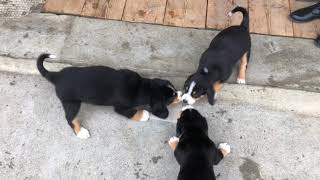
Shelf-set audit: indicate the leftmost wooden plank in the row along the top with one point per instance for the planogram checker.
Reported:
(64, 6)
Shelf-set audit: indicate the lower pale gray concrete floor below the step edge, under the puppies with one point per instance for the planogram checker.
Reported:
(36, 142)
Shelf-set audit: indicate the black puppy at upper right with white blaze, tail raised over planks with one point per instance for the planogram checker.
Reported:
(216, 63)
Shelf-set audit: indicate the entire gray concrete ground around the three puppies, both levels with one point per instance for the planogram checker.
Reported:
(272, 124)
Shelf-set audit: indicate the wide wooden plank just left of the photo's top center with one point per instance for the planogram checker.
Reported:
(148, 11)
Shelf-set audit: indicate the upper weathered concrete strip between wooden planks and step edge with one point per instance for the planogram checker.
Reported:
(155, 50)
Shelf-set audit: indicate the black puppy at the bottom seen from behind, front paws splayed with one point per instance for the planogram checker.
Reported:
(194, 151)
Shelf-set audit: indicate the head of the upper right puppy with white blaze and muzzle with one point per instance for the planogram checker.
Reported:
(198, 85)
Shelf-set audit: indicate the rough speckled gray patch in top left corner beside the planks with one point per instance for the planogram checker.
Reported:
(19, 8)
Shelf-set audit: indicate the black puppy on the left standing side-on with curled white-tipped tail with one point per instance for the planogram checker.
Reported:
(128, 92)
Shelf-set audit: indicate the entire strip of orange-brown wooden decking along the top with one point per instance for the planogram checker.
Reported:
(266, 17)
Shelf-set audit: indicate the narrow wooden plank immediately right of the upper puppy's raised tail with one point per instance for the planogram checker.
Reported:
(259, 16)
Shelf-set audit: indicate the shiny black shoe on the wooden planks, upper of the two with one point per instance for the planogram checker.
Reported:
(306, 14)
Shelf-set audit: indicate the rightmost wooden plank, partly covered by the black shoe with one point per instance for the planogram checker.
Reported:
(305, 30)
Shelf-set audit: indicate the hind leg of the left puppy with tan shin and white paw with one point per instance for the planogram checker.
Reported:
(71, 109)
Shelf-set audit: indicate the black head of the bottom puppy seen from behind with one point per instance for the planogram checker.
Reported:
(191, 119)
